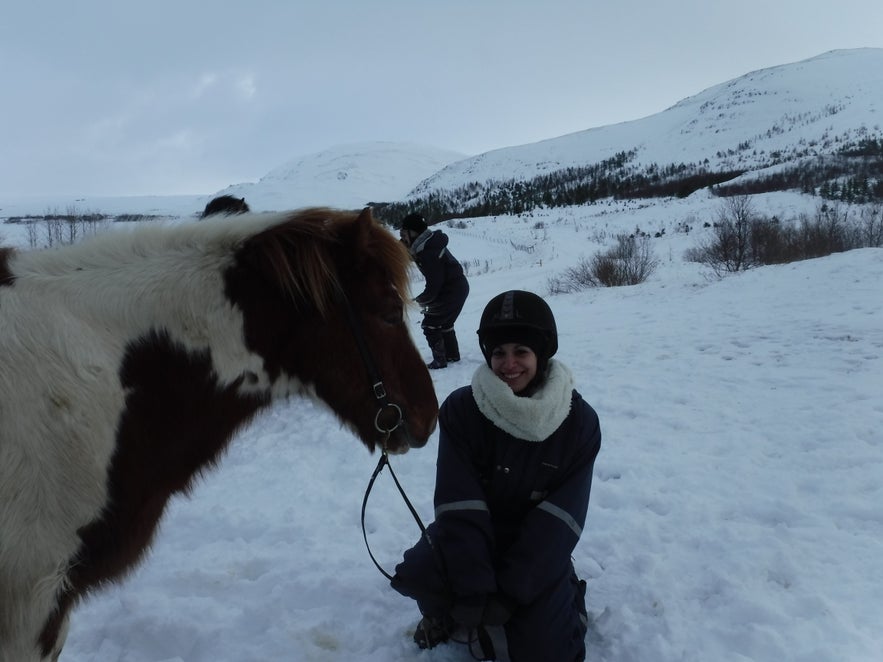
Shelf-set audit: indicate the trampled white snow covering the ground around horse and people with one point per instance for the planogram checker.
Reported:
(735, 513)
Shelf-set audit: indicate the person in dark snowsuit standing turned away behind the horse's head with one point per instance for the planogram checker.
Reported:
(446, 288)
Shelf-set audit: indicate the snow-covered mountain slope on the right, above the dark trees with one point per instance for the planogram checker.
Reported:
(761, 119)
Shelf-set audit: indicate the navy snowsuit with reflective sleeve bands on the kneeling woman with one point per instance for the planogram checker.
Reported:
(508, 514)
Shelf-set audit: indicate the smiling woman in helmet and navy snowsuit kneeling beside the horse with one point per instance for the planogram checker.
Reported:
(515, 458)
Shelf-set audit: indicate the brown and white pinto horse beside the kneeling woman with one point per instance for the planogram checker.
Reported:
(129, 361)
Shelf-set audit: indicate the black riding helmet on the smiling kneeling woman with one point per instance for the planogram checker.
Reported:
(520, 317)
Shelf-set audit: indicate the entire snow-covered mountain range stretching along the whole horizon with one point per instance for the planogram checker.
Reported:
(754, 123)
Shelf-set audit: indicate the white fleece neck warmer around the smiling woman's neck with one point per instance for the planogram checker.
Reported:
(531, 418)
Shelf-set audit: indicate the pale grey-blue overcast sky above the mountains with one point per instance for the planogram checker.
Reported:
(106, 97)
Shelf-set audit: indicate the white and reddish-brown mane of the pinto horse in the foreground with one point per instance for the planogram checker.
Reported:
(296, 250)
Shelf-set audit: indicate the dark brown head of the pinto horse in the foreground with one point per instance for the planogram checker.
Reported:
(323, 296)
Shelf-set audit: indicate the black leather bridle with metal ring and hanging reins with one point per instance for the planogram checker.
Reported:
(378, 390)
